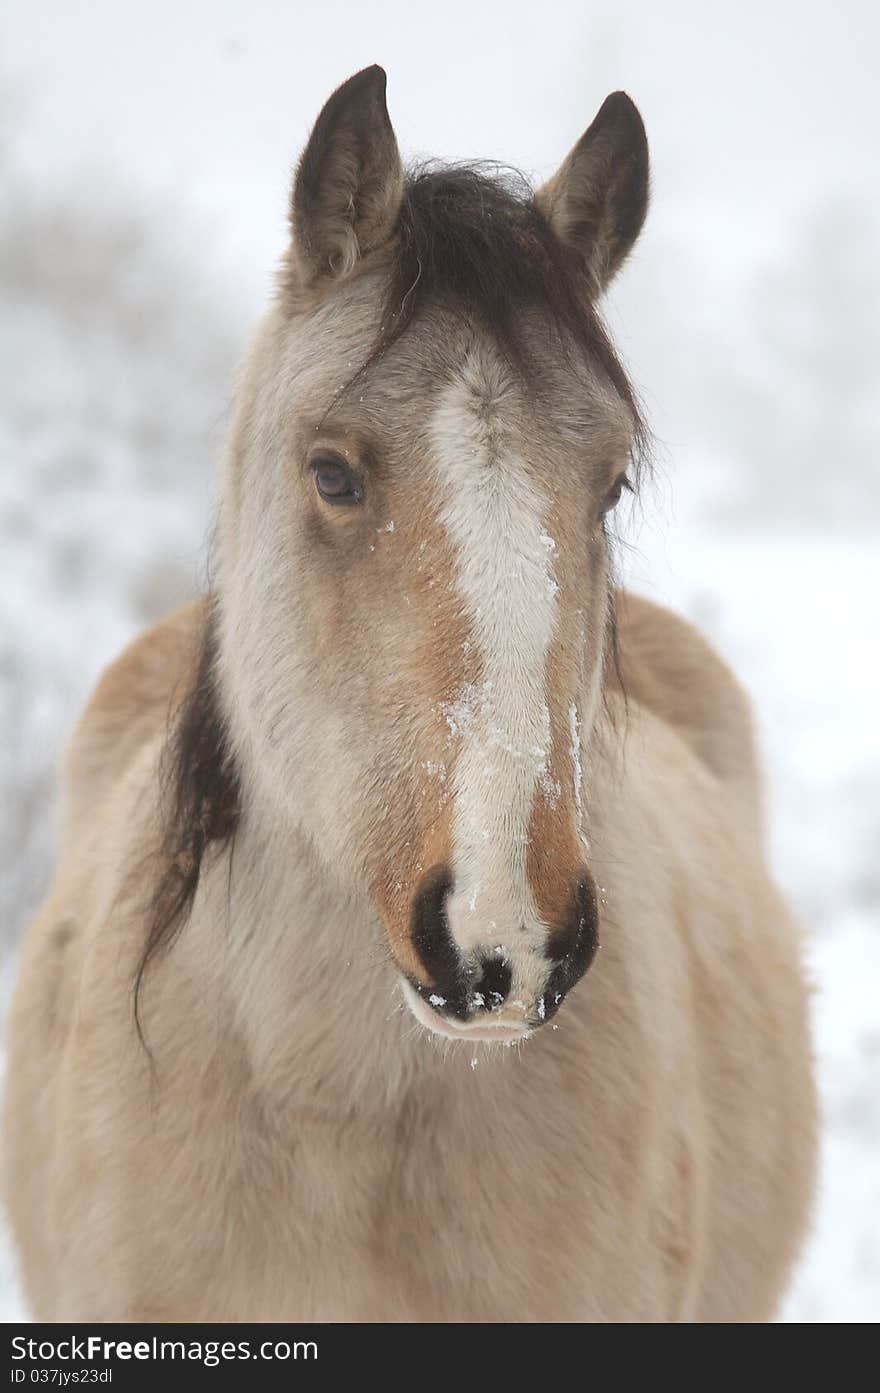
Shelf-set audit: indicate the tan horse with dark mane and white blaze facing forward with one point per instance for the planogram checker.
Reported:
(413, 954)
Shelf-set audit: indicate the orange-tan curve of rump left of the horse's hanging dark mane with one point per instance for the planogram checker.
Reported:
(129, 708)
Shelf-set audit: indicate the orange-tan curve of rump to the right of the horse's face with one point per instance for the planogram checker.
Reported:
(668, 667)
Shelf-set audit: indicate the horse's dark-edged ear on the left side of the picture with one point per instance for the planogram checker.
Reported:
(349, 187)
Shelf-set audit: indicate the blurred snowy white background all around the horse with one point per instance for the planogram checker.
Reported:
(146, 155)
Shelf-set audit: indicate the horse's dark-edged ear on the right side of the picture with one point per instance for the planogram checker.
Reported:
(598, 200)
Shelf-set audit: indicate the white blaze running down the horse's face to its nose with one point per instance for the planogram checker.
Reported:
(495, 515)
